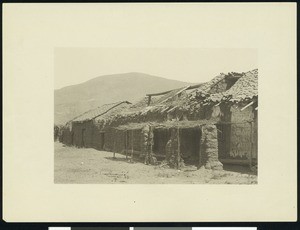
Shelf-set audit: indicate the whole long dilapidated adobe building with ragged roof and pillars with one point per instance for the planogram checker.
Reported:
(205, 125)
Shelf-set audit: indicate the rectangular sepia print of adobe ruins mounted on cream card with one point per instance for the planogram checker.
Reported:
(192, 122)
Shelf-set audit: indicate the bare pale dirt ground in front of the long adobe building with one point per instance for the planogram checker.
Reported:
(90, 166)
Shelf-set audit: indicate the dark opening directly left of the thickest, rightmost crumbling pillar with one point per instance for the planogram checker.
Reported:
(189, 145)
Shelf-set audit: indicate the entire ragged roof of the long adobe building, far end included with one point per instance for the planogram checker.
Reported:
(232, 87)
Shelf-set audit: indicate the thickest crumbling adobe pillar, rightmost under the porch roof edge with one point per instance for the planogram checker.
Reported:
(209, 148)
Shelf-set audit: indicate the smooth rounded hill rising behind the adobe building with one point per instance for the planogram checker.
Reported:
(73, 100)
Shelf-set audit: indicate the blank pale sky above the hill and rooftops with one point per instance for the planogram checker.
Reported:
(76, 65)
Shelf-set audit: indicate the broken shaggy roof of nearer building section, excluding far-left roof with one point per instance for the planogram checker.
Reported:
(191, 99)
